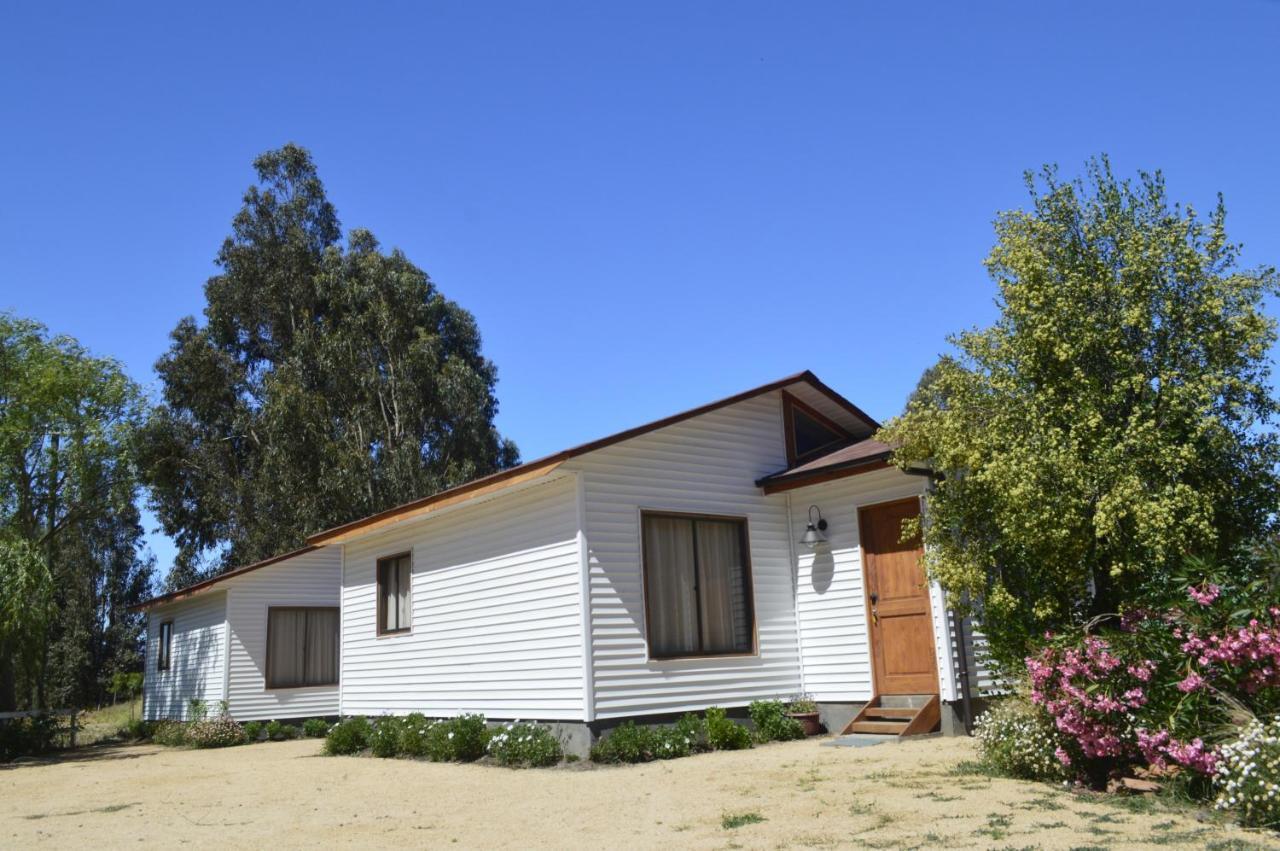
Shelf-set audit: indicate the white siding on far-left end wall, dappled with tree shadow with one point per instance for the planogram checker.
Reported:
(196, 661)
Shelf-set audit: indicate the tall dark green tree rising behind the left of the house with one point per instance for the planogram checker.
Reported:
(328, 382)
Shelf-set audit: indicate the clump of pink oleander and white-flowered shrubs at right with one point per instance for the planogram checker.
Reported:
(1164, 685)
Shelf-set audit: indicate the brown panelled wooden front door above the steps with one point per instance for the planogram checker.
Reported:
(898, 602)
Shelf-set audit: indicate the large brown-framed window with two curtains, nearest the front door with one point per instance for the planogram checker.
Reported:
(698, 587)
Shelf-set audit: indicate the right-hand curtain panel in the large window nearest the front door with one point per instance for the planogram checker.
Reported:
(723, 587)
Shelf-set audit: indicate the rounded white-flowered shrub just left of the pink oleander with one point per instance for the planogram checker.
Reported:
(1017, 739)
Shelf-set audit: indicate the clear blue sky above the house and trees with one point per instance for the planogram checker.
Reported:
(647, 205)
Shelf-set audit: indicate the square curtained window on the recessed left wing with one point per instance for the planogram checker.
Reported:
(301, 647)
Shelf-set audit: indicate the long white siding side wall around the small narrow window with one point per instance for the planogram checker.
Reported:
(497, 617)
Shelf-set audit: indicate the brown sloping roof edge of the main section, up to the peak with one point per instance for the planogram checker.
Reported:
(543, 466)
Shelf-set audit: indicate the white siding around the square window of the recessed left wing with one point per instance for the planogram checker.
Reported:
(310, 579)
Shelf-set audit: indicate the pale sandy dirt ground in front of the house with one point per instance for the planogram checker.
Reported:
(779, 797)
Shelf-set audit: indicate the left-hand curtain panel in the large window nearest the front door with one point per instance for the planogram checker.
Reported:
(670, 587)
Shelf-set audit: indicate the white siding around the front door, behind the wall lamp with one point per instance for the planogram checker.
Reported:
(830, 601)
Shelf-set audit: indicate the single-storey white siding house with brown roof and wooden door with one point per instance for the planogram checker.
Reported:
(666, 569)
